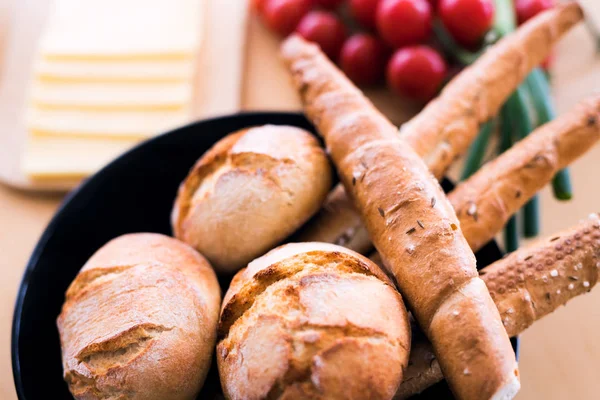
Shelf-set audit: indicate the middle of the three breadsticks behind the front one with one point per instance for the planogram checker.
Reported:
(486, 200)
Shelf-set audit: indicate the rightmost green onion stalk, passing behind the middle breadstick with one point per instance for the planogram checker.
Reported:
(542, 101)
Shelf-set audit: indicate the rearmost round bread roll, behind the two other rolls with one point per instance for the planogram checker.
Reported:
(249, 192)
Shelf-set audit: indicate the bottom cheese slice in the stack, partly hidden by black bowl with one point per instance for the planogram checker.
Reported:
(69, 158)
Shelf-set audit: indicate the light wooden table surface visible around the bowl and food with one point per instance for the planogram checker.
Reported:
(560, 355)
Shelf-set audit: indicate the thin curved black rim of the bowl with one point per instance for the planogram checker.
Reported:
(50, 228)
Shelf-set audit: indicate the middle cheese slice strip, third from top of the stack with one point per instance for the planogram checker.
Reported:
(116, 96)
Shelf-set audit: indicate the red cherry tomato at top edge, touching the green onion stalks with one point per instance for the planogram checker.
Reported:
(467, 20)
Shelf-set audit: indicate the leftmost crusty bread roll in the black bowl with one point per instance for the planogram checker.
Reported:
(139, 321)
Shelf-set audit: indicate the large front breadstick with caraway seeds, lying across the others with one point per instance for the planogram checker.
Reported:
(412, 225)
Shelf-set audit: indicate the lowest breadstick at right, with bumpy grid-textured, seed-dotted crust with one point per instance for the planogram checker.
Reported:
(526, 286)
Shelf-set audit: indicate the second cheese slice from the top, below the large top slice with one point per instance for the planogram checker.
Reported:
(114, 71)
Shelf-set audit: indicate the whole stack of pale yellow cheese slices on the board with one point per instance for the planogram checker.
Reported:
(108, 74)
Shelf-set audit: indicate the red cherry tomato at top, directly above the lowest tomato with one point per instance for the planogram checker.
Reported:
(403, 22)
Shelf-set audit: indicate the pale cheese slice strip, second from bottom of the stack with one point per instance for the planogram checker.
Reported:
(122, 124)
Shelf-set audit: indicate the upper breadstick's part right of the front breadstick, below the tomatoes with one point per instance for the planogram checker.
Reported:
(448, 124)
